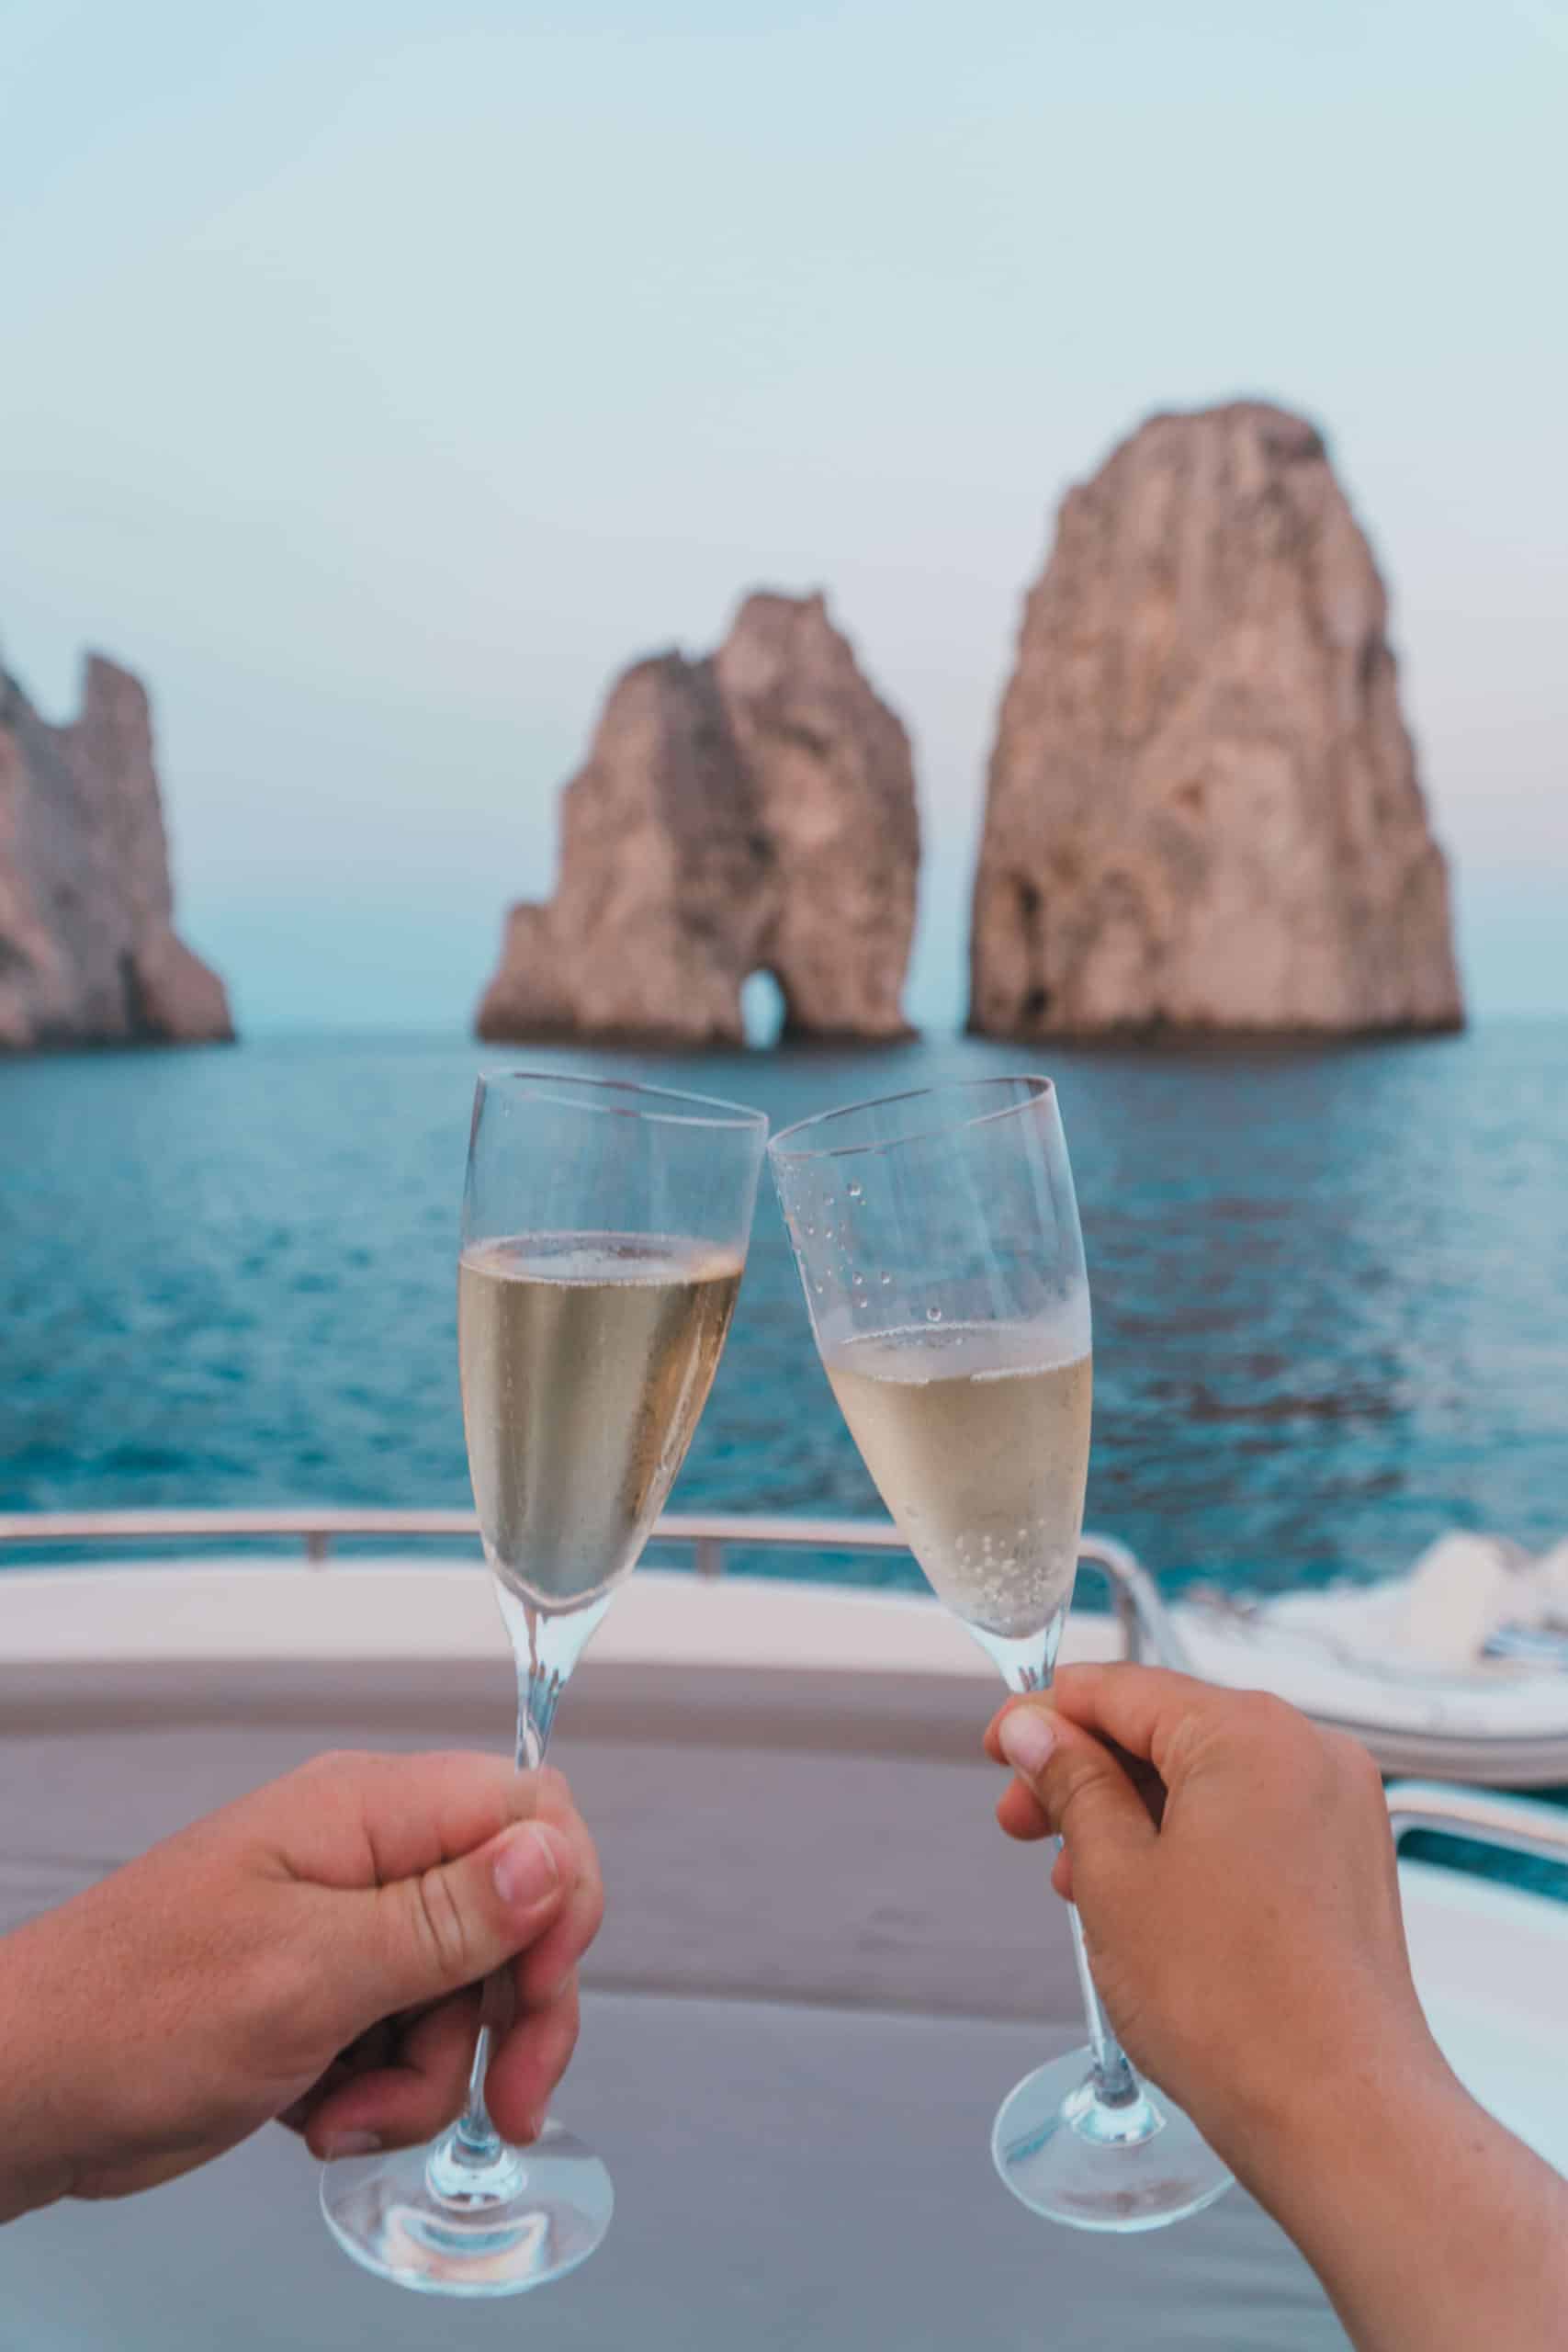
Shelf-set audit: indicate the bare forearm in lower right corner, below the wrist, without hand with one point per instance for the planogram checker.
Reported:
(1430, 2226)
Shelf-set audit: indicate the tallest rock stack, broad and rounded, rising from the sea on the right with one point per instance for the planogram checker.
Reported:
(1202, 806)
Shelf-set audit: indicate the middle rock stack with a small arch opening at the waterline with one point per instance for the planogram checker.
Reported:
(746, 813)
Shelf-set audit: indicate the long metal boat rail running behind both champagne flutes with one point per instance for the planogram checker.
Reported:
(709, 1537)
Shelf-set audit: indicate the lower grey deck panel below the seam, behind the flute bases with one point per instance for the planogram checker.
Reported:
(784, 2179)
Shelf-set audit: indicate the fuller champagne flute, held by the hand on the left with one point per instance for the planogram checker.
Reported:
(605, 1231)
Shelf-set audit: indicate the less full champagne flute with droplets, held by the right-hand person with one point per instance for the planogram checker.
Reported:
(939, 1245)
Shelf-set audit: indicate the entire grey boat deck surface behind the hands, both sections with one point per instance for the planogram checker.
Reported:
(822, 1972)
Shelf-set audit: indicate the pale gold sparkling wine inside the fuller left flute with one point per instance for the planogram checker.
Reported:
(587, 1361)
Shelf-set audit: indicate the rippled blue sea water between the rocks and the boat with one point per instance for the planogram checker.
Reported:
(1332, 1288)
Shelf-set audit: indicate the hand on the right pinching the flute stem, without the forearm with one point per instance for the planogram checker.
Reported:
(1235, 1876)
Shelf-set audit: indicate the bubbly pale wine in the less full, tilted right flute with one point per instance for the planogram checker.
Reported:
(979, 1443)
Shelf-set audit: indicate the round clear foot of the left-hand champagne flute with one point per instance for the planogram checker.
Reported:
(424, 2219)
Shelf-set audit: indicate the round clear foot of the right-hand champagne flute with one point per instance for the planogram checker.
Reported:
(1097, 2167)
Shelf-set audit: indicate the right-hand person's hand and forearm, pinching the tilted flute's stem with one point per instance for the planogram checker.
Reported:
(1235, 1876)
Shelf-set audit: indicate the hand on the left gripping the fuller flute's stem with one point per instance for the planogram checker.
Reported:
(309, 1953)
